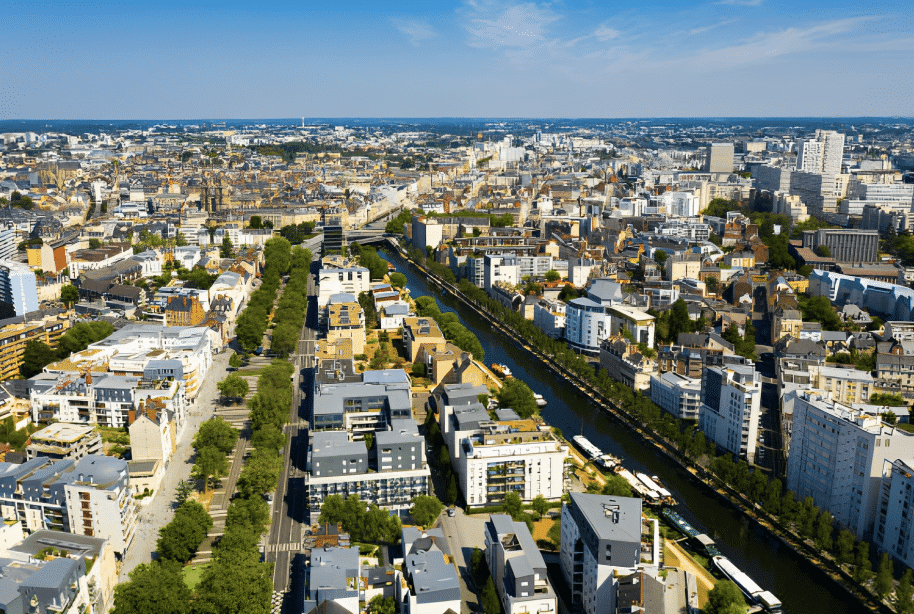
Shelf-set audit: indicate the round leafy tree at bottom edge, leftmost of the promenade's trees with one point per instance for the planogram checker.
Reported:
(154, 588)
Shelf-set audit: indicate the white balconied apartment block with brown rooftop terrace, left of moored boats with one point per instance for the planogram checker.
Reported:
(495, 457)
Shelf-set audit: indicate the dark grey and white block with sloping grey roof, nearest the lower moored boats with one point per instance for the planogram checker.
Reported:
(601, 538)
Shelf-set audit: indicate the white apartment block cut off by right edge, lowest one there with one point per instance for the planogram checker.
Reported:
(894, 530)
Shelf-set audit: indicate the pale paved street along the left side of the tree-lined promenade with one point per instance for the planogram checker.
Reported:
(159, 512)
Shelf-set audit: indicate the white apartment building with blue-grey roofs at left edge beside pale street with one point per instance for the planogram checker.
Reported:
(90, 496)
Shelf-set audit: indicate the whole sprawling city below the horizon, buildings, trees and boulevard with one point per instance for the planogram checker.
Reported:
(224, 388)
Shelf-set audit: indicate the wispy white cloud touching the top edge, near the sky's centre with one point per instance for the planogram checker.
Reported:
(521, 26)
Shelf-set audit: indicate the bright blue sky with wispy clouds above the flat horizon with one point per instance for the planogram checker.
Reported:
(98, 60)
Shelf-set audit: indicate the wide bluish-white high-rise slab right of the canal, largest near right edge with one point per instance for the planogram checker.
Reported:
(837, 457)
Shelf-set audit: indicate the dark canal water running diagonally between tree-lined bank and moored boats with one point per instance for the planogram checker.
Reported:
(801, 587)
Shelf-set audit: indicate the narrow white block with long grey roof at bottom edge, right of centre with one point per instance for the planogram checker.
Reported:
(518, 568)
